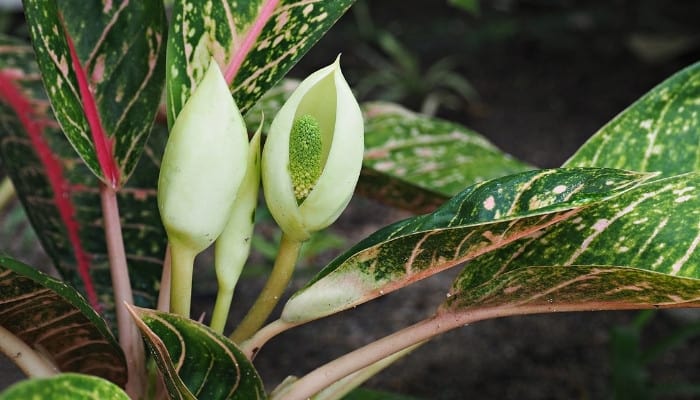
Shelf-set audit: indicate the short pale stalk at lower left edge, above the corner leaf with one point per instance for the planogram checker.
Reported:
(33, 364)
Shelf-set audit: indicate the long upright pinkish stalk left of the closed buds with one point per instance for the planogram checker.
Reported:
(129, 337)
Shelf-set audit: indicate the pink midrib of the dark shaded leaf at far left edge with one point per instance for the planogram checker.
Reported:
(22, 107)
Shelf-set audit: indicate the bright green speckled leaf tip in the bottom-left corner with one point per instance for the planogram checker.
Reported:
(65, 387)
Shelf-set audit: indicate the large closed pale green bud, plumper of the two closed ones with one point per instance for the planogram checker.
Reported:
(203, 165)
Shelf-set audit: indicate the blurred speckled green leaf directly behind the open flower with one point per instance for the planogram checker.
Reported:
(417, 162)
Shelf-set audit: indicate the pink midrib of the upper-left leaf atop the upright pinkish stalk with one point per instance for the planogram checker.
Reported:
(104, 146)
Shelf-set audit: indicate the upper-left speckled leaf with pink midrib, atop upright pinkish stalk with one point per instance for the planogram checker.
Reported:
(102, 65)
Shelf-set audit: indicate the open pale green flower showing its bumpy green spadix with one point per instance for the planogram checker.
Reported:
(313, 154)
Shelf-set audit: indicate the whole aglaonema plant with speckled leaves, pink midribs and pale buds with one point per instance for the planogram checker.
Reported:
(123, 205)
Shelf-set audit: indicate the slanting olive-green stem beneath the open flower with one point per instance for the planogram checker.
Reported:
(273, 290)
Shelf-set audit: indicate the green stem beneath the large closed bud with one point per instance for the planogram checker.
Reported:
(182, 266)
